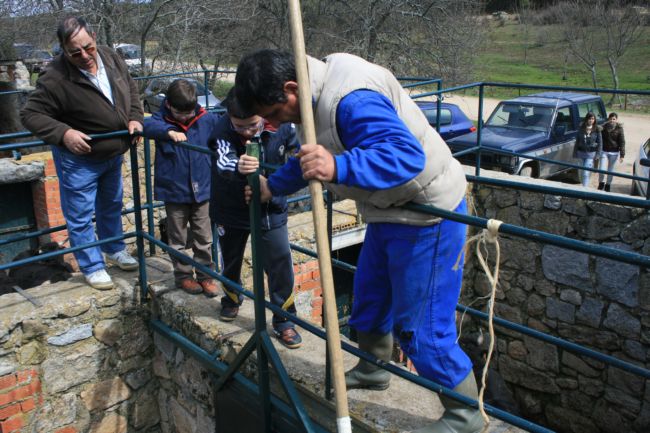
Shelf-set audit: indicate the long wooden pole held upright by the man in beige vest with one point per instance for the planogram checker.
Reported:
(318, 212)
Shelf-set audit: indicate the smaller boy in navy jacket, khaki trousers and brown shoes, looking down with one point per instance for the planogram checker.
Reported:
(182, 180)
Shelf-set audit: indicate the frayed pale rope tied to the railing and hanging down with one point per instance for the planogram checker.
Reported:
(488, 235)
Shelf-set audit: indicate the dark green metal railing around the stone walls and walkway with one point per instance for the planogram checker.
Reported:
(262, 342)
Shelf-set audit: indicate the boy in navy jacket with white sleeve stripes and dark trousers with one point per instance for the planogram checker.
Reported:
(231, 213)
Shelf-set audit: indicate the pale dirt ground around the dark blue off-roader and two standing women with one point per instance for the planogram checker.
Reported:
(636, 126)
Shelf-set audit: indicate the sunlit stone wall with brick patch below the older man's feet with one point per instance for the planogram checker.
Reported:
(79, 362)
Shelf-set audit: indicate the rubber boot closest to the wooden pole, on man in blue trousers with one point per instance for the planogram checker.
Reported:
(366, 375)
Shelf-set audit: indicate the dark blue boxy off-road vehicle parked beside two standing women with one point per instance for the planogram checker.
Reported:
(542, 125)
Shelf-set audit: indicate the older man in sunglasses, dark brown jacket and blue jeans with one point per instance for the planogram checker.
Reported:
(87, 90)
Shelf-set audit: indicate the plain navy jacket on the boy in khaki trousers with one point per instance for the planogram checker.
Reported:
(182, 175)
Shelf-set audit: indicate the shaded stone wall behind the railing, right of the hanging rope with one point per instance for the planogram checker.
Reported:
(595, 302)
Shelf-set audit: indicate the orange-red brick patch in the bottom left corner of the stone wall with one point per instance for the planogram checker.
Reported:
(20, 393)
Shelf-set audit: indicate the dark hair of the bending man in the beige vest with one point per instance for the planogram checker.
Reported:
(261, 76)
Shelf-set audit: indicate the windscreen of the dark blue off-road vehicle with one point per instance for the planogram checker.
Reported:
(521, 116)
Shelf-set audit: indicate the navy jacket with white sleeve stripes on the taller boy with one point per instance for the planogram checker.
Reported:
(227, 205)
